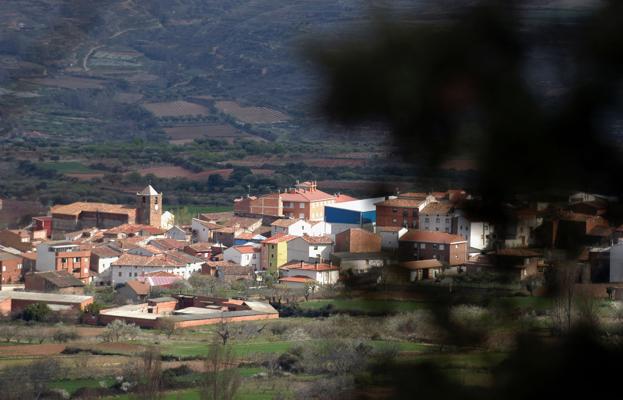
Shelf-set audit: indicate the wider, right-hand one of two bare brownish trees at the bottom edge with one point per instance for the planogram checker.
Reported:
(221, 379)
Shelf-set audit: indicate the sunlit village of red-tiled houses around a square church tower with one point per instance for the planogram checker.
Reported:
(300, 254)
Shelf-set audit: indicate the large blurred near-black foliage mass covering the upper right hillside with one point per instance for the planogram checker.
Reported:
(459, 87)
